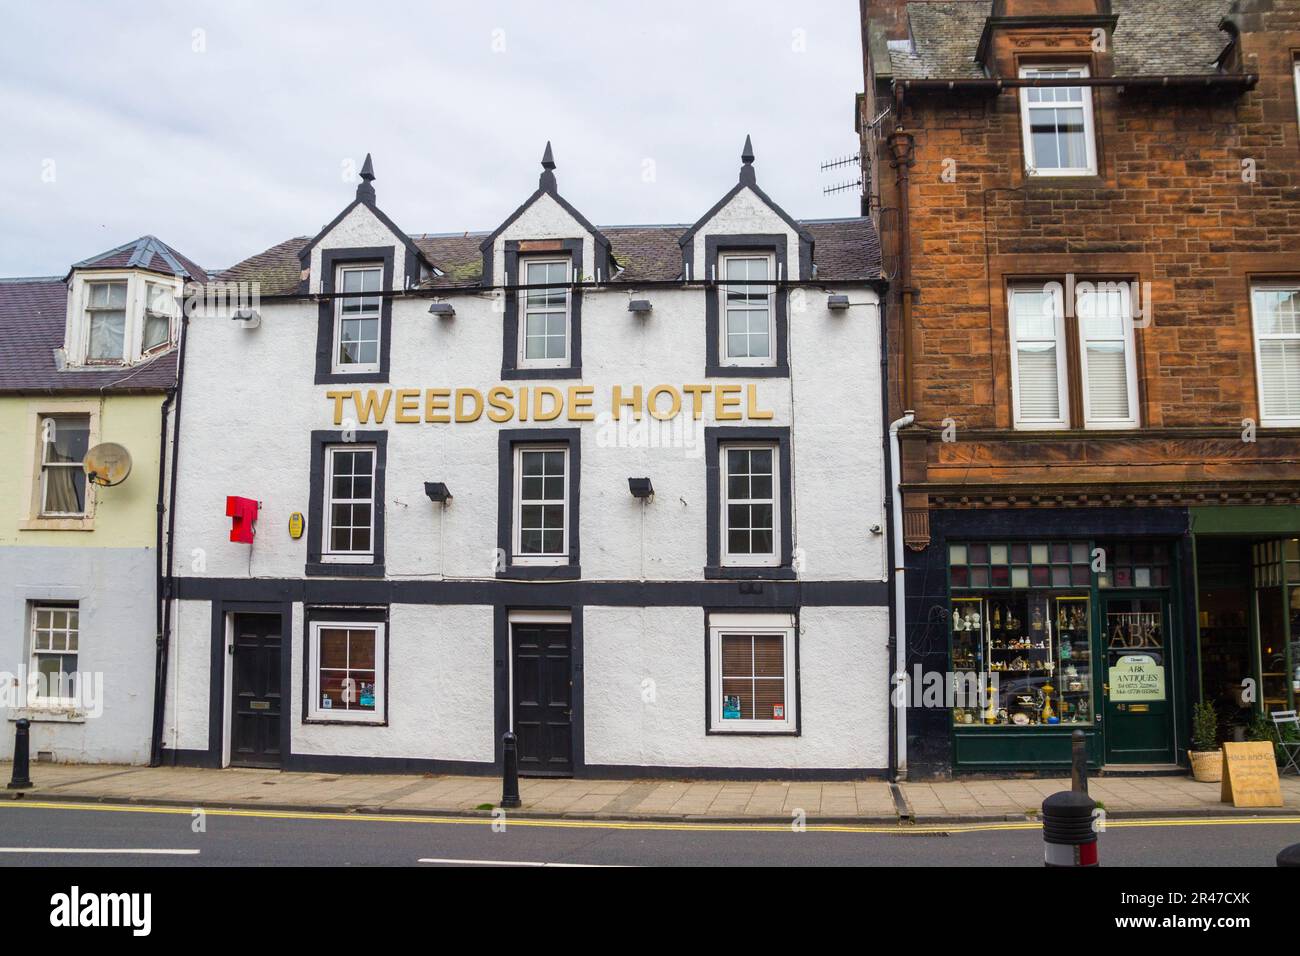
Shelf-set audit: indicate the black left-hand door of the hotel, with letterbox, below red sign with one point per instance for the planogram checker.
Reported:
(255, 687)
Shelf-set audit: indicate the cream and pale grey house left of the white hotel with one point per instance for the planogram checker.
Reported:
(89, 361)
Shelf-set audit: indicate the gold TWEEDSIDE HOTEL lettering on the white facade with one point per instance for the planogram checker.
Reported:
(501, 404)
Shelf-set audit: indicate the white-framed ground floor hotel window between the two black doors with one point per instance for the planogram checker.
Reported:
(348, 672)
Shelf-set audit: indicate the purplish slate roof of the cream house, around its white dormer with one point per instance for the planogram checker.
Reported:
(32, 327)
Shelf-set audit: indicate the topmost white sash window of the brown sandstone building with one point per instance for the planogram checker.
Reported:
(1058, 122)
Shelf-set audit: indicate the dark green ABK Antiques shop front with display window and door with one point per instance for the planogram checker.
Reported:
(1050, 621)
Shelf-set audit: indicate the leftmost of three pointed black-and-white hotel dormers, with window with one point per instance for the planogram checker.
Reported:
(356, 263)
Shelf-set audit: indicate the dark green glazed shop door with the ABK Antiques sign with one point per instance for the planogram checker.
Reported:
(1138, 681)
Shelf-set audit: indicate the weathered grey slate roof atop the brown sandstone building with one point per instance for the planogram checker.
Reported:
(1152, 38)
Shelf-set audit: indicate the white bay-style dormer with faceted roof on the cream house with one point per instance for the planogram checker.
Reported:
(124, 305)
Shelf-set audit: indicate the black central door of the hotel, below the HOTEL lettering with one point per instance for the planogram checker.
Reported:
(544, 699)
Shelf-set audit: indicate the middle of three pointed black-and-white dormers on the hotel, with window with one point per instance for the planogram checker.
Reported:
(540, 256)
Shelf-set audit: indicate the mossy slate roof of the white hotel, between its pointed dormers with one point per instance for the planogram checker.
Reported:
(844, 249)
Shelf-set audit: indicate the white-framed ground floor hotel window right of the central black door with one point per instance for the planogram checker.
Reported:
(752, 673)
